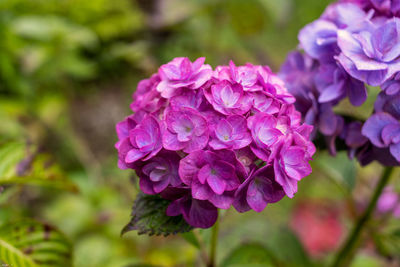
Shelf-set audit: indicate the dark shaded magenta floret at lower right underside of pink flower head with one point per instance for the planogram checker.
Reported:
(259, 189)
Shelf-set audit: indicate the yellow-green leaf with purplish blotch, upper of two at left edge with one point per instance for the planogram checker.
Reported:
(21, 164)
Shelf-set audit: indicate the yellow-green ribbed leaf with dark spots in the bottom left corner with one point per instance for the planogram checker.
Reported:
(32, 244)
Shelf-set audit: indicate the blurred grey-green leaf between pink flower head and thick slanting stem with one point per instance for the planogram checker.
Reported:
(339, 168)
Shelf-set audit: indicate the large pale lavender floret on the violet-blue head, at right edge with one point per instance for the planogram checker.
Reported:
(371, 55)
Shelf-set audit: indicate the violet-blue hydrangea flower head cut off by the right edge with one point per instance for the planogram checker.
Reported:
(353, 43)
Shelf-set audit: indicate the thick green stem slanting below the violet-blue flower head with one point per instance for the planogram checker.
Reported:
(347, 252)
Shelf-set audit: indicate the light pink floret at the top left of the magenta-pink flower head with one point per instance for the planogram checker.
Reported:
(181, 73)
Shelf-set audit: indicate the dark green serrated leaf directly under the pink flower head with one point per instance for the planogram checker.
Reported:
(149, 217)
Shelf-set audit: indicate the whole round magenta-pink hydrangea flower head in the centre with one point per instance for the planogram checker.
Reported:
(208, 139)
